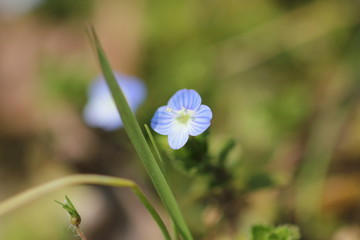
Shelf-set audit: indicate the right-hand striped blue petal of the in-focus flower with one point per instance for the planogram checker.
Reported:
(200, 120)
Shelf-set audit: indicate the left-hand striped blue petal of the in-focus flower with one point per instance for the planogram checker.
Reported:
(163, 121)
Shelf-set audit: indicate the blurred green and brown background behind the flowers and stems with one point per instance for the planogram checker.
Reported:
(282, 78)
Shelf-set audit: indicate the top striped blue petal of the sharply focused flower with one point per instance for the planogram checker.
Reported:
(187, 98)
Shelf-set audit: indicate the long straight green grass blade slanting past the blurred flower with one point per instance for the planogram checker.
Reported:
(137, 138)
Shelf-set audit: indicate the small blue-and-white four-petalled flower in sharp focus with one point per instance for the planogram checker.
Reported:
(183, 116)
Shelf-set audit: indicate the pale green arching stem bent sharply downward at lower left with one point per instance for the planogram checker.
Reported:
(80, 179)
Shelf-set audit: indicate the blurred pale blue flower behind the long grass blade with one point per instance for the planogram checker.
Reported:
(101, 111)
